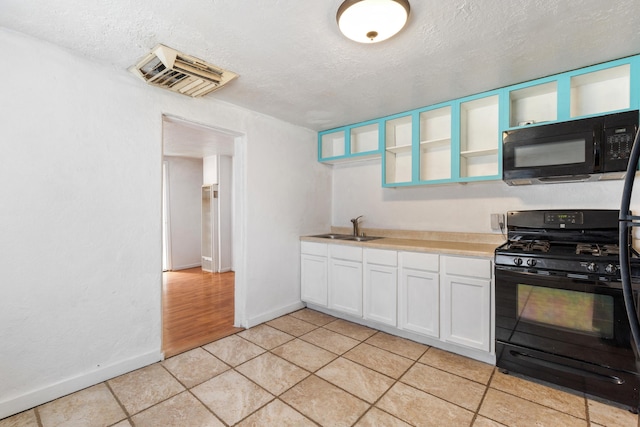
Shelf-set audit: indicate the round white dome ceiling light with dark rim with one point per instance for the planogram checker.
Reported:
(372, 21)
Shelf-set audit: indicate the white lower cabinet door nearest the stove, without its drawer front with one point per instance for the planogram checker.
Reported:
(466, 311)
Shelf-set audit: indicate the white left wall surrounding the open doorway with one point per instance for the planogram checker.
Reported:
(80, 166)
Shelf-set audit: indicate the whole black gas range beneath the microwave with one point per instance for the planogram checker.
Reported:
(560, 311)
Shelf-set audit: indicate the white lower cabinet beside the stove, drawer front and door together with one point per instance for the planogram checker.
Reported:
(466, 301)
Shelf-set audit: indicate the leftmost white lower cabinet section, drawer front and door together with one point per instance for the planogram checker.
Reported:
(314, 273)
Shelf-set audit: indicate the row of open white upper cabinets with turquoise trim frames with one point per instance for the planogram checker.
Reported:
(461, 140)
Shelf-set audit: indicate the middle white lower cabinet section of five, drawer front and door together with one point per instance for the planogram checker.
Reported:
(381, 286)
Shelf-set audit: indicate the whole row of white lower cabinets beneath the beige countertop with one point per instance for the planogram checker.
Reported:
(444, 298)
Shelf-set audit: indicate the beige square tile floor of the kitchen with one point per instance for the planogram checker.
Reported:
(310, 369)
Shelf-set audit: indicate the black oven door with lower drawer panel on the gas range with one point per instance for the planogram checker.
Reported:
(567, 331)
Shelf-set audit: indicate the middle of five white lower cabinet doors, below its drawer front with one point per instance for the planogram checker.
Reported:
(380, 293)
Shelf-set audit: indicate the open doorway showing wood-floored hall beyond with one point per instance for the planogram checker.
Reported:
(198, 304)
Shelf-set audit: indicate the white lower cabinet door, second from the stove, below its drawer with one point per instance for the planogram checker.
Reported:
(419, 302)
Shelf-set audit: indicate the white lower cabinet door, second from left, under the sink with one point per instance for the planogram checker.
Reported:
(345, 286)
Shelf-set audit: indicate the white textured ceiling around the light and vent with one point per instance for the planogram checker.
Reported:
(295, 65)
